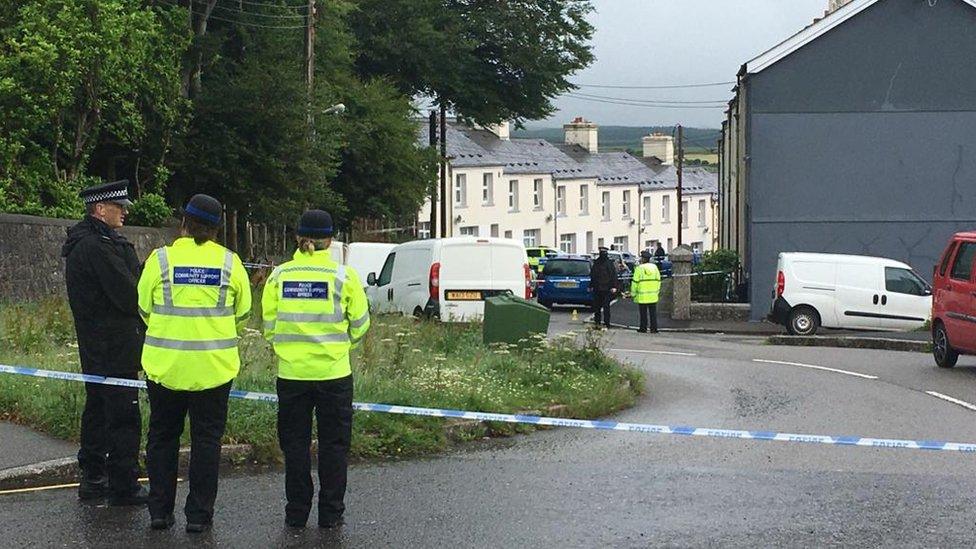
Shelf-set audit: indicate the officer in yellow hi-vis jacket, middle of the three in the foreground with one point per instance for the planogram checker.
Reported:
(195, 297)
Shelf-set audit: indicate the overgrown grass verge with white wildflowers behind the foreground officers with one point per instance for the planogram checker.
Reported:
(401, 361)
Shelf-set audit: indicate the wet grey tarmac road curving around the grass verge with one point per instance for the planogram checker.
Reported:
(579, 488)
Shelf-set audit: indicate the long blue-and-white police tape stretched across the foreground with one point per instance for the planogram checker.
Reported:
(600, 425)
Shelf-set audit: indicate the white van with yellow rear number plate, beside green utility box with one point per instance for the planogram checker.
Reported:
(449, 278)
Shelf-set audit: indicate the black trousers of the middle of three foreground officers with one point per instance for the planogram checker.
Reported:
(208, 417)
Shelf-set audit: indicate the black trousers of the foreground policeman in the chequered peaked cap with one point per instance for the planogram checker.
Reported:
(111, 428)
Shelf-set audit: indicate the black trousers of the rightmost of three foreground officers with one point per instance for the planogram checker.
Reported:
(332, 404)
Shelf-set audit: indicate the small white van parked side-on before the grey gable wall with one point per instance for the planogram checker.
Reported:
(848, 291)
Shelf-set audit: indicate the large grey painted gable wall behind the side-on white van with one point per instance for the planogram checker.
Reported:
(863, 141)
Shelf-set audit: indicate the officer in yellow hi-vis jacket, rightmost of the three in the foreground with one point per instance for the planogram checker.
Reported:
(315, 311)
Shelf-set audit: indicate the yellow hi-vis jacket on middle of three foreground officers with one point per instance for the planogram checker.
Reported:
(194, 299)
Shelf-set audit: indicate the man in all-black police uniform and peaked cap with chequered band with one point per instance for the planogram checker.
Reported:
(101, 270)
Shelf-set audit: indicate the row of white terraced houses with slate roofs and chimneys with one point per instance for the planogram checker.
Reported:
(571, 196)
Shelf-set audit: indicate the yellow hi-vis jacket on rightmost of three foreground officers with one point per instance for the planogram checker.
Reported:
(315, 311)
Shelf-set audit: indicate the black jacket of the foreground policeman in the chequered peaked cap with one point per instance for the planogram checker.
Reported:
(101, 272)
